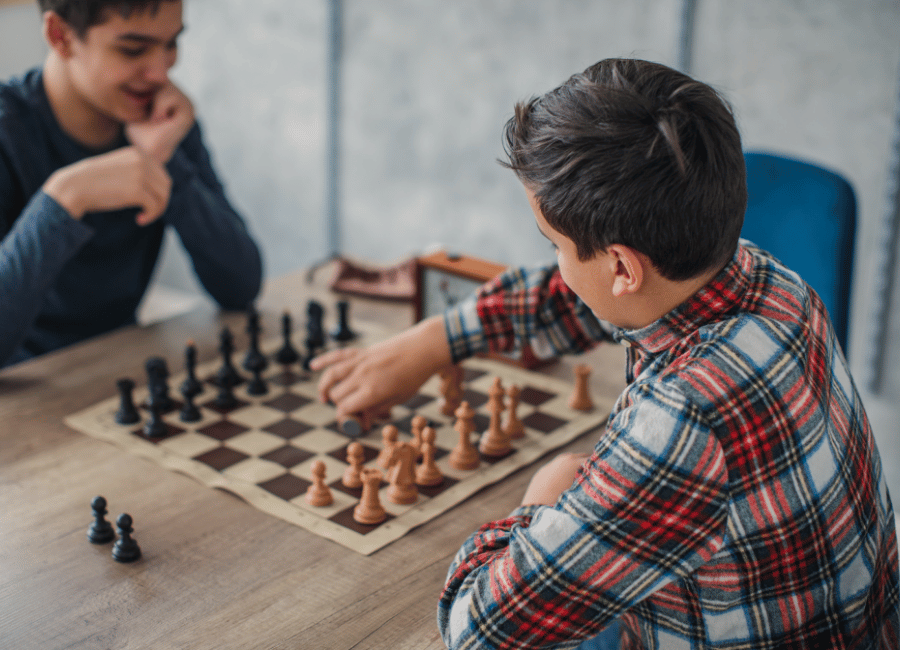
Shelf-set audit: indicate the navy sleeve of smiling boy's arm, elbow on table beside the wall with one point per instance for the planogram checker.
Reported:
(225, 257)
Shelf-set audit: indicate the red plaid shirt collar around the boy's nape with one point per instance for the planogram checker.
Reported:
(722, 295)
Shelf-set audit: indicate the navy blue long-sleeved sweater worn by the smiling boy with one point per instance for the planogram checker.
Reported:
(64, 280)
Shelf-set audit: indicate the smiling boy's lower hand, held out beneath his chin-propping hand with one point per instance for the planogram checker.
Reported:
(123, 178)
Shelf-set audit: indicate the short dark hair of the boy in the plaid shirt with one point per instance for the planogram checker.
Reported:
(635, 153)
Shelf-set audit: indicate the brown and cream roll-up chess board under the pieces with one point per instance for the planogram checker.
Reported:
(263, 448)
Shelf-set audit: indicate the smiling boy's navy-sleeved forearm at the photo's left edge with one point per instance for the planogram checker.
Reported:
(32, 254)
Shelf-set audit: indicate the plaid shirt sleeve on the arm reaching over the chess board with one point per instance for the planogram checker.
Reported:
(521, 305)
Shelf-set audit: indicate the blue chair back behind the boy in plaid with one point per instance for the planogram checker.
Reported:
(806, 217)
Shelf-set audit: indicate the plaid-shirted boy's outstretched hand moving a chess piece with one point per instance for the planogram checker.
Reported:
(363, 381)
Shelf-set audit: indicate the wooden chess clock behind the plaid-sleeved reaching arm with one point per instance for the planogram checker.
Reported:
(443, 279)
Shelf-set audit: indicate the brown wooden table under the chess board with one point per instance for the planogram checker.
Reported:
(215, 572)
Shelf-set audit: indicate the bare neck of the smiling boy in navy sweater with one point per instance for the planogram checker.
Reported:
(77, 118)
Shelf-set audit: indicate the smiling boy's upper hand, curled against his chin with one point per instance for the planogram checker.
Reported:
(170, 118)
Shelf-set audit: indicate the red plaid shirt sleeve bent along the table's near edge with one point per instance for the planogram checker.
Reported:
(648, 508)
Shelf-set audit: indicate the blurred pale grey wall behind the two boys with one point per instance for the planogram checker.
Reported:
(372, 128)
